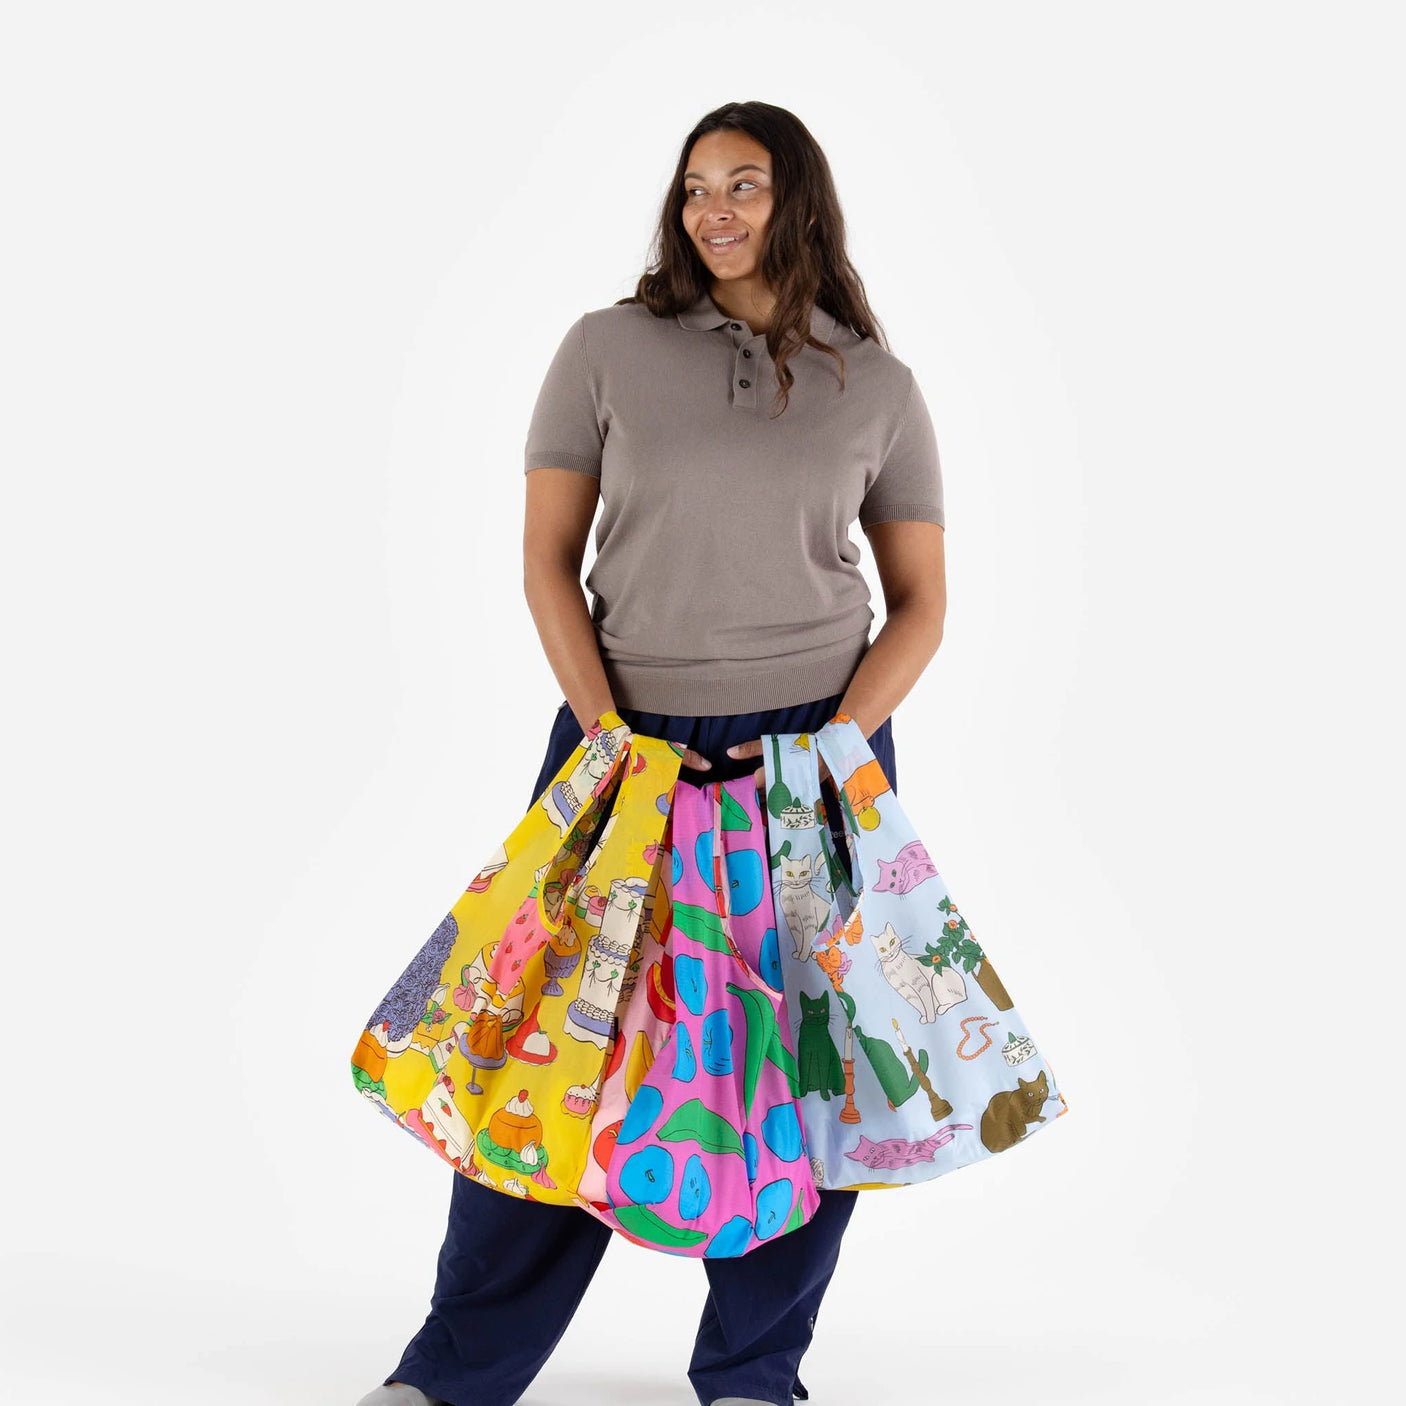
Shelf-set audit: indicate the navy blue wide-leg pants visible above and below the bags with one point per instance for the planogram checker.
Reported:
(491, 1328)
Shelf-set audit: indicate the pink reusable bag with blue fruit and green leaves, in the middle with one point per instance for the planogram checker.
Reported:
(709, 1159)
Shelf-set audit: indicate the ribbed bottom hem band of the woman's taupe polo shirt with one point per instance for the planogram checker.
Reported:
(707, 688)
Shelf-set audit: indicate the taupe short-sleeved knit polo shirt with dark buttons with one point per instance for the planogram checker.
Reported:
(725, 579)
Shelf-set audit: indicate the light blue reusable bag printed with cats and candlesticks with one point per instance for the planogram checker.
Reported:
(913, 1059)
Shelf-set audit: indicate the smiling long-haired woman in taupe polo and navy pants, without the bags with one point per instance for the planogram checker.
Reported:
(735, 418)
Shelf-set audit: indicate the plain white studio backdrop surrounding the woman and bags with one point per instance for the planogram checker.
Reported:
(280, 286)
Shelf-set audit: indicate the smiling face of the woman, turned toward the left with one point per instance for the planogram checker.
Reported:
(728, 196)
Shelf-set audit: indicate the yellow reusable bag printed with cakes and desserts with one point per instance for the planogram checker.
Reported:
(490, 1047)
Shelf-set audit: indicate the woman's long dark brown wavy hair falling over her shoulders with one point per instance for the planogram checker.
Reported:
(804, 259)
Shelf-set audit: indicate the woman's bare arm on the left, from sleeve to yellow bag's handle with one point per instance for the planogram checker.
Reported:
(562, 505)
